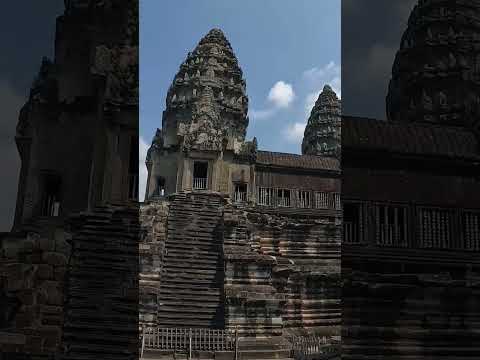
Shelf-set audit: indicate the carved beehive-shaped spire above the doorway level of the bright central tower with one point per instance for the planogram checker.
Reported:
(206, 104)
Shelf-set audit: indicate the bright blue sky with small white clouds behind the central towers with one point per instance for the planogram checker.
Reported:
(287, 50)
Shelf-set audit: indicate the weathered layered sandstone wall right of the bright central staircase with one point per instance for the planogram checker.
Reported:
(282, 272)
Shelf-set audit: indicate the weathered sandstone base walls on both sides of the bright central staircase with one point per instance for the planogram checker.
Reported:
(281, 271)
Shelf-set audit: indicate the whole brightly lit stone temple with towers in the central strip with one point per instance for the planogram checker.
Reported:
(235, 237)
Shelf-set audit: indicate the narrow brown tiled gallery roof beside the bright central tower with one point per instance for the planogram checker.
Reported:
(269, 158)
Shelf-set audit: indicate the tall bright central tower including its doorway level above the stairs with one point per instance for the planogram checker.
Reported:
(204, 123)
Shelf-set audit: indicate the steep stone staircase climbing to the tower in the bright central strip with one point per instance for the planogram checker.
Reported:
(191, 290)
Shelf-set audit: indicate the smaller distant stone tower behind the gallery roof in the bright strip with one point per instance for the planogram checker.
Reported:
(323, 132)
